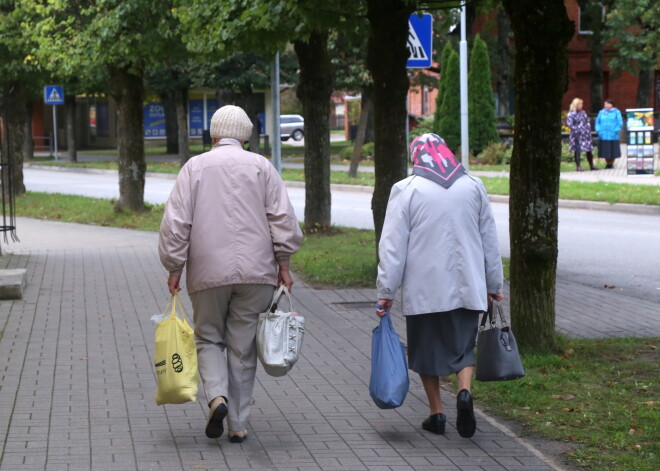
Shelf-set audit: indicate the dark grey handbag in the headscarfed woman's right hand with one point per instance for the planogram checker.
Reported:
(497, 351)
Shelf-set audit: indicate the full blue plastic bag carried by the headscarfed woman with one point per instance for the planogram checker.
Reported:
(389, 381)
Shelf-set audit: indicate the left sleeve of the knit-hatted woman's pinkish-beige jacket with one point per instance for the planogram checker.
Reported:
(175, 227)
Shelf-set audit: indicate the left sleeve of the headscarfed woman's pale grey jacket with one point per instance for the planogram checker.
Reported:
(393, 246)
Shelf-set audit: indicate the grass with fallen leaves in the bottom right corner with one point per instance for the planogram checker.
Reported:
(599, 395)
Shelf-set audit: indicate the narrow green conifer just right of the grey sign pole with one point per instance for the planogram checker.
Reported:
(481, 103)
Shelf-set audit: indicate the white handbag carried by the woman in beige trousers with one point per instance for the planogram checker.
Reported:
(279, 336)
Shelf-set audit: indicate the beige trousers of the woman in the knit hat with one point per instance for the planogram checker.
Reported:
(226, 319)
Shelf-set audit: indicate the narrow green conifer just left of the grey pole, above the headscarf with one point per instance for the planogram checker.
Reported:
(449, 124)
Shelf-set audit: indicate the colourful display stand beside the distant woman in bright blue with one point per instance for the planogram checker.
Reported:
(639, 124)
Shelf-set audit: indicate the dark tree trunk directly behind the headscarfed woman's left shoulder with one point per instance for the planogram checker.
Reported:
(386, 59)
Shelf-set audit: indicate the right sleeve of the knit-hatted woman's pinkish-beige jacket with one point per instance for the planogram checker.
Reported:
(284, 229)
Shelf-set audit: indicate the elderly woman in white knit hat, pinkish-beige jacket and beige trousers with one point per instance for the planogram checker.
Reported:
(229, 221)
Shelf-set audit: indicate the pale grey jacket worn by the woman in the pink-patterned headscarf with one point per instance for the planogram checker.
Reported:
(440, 246)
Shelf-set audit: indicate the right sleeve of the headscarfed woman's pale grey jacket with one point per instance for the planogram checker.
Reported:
(491, 246)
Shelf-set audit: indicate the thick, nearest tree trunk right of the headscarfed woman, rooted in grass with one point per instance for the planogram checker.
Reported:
(542, 31)
